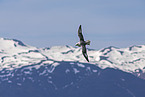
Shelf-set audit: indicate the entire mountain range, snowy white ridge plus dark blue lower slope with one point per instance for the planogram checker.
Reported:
(62, 71)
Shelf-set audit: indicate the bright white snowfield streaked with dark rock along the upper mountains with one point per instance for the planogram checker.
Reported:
(15, 54)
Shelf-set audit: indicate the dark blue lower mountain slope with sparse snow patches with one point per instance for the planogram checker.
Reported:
(69, 80)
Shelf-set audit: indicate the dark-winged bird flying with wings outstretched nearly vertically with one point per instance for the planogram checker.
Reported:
(83, 43)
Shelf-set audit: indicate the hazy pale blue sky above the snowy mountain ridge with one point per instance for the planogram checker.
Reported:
(46, 23)
